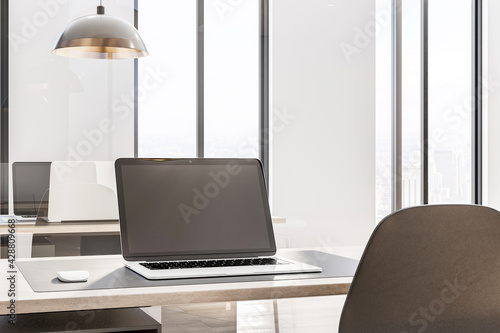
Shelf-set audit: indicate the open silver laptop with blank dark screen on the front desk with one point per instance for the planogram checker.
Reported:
(189, 218)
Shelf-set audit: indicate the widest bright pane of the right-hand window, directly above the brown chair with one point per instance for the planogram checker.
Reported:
(450, 102)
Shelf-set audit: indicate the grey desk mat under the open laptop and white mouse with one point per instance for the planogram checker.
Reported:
(109, 273)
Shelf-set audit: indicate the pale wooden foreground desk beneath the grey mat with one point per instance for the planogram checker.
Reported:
(28, 301)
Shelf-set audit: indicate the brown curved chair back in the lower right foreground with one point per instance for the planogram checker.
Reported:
(428, 269)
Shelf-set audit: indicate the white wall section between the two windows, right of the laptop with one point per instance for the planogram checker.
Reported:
(323, 146)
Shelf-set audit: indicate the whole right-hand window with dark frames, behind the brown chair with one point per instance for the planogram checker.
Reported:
(437, 134)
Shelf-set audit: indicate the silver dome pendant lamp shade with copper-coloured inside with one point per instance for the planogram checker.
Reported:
(100, 37)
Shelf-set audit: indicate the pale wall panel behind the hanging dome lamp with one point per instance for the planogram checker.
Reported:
(60, 108)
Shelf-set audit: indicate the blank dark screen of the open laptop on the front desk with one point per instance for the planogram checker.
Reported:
(192, 207)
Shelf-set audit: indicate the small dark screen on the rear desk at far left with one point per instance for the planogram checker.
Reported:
(30, 181)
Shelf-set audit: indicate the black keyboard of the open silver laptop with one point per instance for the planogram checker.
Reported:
(212, 263)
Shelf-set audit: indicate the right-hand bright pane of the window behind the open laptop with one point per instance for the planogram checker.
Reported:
(232, 61)
